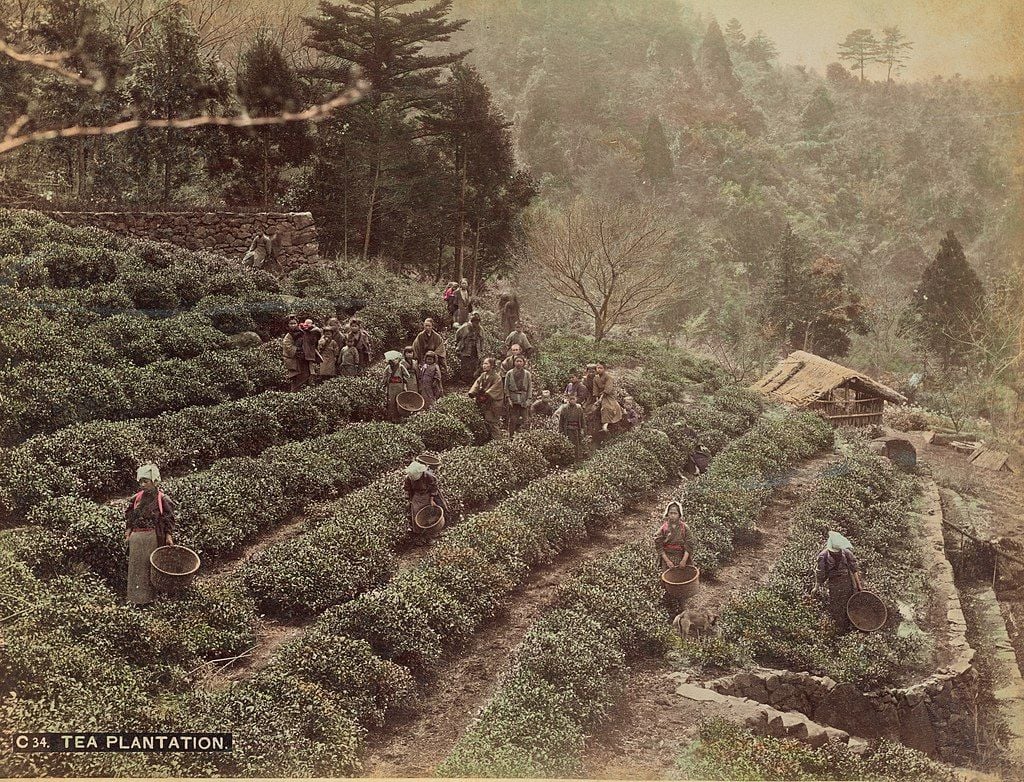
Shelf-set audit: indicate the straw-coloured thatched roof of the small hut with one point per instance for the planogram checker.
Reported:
(803, 378)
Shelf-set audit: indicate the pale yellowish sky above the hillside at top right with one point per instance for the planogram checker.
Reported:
(975, 38)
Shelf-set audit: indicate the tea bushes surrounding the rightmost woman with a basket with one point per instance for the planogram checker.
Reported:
(780, 625)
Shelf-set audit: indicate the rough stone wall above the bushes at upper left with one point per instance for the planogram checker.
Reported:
(228, 234)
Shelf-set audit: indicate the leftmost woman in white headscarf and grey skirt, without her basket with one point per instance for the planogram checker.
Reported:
(150, 523)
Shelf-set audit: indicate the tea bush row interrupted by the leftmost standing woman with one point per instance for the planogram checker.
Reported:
(222, 509)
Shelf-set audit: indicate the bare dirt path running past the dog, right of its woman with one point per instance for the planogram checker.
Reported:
(647, 729)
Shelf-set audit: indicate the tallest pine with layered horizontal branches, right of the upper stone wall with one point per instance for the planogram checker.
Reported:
(386, 40)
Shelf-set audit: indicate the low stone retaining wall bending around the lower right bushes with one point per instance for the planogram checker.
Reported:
(935, 716)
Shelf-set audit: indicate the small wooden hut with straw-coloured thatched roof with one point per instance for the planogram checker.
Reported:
(845, 397)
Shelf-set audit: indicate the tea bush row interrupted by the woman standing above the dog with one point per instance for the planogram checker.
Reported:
(569, 668)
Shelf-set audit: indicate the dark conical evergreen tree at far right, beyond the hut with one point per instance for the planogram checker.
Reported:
(948, 305)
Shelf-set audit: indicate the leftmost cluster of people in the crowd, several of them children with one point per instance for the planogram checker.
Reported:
(312, 354)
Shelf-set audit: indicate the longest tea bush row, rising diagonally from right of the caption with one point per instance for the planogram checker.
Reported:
(376, 643)
